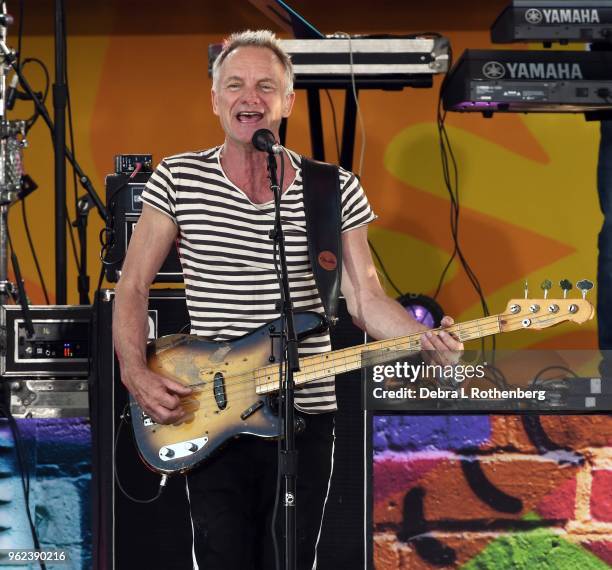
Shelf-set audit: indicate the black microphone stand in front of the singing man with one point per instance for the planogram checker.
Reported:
(288, 341)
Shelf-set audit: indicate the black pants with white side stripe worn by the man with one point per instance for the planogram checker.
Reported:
(232, 497)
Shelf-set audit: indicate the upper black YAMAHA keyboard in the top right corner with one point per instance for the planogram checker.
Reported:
(554, 20)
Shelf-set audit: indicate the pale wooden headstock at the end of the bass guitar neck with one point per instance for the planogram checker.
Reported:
(544, 313)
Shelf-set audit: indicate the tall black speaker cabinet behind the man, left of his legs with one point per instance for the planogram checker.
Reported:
(130, 535)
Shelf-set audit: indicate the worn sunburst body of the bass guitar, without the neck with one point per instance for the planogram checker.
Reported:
(225, 400)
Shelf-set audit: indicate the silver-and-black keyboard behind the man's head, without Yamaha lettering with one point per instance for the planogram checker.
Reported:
(376, 62)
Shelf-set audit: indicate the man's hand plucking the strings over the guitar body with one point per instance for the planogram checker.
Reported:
(159, 397)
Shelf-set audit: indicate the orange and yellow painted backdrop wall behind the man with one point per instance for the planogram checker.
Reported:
(527, 182)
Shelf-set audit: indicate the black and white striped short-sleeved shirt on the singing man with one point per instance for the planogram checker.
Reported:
(227, 254)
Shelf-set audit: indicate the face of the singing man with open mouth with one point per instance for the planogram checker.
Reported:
(250, 93)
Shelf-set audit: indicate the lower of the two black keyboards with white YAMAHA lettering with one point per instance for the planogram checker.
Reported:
(530, 81)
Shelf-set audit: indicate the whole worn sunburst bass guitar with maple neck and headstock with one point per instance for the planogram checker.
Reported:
(234, 382)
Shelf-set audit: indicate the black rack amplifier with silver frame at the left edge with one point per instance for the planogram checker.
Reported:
(58, 348)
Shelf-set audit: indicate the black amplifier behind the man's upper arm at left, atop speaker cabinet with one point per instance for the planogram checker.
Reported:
(124, 205)
